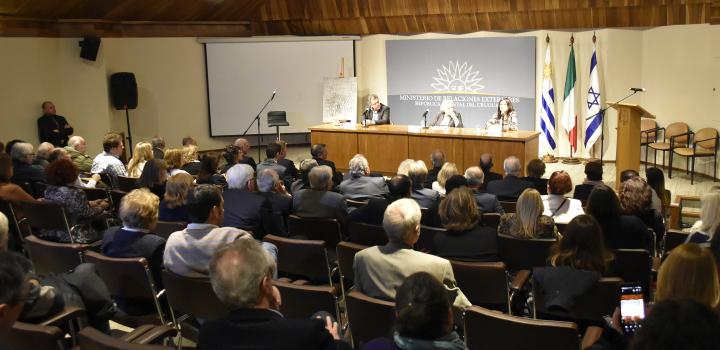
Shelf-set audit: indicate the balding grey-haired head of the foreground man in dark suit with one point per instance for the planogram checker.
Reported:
(237, 271)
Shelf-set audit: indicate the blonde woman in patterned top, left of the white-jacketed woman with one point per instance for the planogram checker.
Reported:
(528, 221)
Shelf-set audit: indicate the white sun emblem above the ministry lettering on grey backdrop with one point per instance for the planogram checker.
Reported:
(456, 77)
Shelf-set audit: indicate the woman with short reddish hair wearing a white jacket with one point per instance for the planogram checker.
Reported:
(557, 206)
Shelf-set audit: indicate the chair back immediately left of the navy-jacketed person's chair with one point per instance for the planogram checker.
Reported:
(52, 257)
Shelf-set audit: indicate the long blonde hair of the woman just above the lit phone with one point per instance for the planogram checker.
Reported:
(689, 272)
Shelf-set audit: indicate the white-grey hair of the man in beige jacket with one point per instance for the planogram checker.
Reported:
(401, 219)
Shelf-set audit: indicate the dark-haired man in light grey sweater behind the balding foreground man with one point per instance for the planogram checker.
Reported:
(188, 252)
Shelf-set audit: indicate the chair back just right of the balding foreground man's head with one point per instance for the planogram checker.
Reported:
(303, 301)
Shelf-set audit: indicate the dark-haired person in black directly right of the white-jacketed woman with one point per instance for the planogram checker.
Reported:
(619, 231)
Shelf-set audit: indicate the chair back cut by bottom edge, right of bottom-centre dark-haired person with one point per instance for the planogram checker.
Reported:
(491, 330)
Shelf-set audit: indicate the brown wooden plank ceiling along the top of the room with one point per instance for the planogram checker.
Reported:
(127, 18)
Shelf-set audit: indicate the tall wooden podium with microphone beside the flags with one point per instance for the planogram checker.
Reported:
(628, 137)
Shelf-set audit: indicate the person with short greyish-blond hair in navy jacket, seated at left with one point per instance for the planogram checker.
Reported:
(135, 239)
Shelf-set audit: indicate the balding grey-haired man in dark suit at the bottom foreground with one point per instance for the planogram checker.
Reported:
(241, 275)
